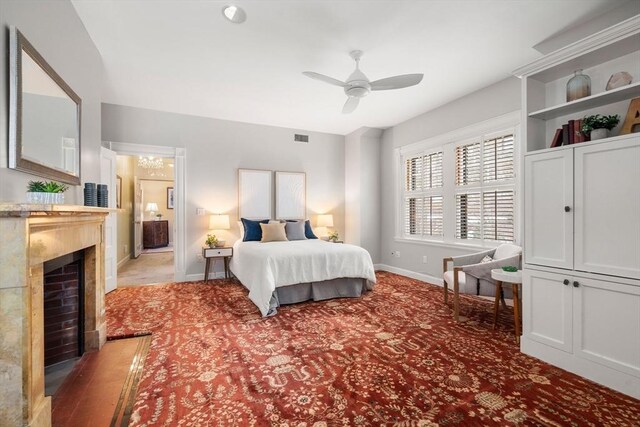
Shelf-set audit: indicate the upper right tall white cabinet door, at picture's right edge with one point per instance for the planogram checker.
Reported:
(607, 208)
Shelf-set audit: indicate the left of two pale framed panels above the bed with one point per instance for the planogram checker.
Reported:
(255, 193)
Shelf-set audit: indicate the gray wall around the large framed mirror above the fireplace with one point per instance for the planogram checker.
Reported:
(55, 30)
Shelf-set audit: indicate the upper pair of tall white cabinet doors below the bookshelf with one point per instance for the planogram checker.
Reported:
(582, 207)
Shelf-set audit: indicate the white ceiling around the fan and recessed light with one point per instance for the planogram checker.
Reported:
(182, 55)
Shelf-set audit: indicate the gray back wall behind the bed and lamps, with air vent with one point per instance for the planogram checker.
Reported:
(215, 149)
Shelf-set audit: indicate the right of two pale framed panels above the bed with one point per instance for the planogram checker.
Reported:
(291, 195)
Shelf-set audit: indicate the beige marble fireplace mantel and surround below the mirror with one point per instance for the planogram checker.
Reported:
(29, 236)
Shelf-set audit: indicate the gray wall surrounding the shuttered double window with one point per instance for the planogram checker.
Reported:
(492, 101)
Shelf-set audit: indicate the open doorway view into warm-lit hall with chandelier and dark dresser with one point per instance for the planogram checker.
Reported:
(146, 204)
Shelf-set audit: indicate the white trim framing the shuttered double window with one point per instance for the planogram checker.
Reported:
(446, 142)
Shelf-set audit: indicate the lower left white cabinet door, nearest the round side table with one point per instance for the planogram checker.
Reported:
(547, 308)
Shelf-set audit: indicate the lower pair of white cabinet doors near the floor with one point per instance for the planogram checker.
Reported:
(593, 319)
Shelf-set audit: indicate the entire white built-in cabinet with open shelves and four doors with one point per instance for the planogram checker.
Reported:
(581, 228)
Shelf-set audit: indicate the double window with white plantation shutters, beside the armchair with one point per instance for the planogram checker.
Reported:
(460, 191)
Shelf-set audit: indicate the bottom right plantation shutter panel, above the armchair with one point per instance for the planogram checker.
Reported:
(498, 214)
